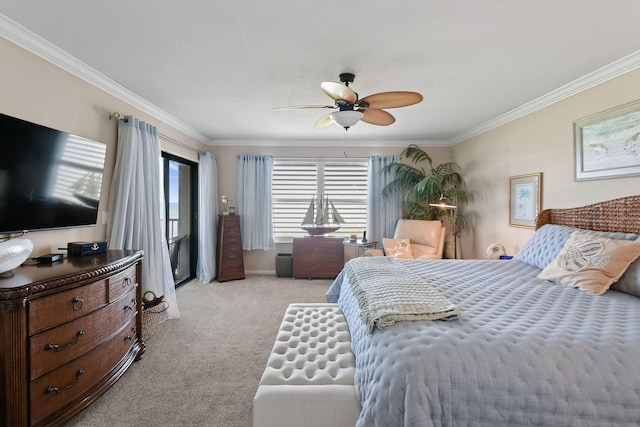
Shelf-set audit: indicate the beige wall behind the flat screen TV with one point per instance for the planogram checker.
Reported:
(32, 89)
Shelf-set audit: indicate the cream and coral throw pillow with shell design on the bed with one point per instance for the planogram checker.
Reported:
(591, 263)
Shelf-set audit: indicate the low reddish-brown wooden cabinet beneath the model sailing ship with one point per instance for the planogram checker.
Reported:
(317, 257)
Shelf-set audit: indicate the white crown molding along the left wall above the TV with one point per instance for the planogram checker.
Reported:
(29, 41)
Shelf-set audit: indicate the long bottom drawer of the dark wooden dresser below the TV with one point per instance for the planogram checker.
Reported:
(58, 388)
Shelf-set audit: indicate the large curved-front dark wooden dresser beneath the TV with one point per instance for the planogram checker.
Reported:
(68, 331)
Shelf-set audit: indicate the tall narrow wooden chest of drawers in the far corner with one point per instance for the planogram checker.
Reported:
(230, 262)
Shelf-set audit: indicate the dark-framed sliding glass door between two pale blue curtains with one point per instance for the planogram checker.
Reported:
(180, 189)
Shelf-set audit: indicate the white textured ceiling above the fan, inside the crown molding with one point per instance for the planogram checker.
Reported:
(220, 67)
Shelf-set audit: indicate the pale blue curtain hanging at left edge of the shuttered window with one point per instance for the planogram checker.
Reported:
(254, 202)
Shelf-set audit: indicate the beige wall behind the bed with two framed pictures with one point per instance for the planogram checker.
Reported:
(539, 142)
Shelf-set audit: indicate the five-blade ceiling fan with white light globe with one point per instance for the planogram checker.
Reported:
(350, 109)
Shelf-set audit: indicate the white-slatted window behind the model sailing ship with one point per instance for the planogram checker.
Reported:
(297, 181)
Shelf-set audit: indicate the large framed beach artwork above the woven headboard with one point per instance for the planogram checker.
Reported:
(607, 144)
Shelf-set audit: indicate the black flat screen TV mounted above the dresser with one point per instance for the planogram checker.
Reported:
(48, 179)
